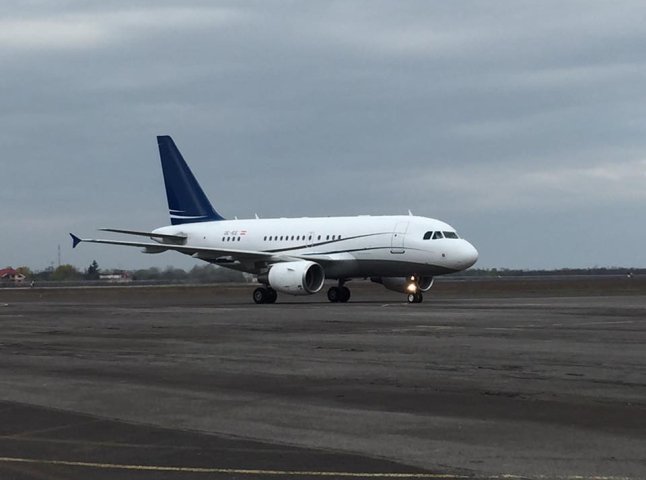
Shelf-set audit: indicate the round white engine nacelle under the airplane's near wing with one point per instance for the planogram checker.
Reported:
(296, 278)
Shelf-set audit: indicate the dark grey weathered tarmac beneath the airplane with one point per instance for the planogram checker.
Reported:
(524, 378)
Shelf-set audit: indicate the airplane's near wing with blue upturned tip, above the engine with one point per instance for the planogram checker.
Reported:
(205, 253)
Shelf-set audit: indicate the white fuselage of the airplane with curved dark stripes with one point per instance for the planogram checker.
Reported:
(361, 246)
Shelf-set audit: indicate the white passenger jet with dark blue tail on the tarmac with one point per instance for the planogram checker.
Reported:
(296, 256)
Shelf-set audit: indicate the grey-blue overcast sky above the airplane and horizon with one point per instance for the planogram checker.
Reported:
(522, 124)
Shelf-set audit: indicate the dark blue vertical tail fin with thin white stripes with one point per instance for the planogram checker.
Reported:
(186, 200)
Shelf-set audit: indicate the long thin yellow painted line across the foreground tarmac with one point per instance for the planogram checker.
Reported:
(290, 473)
